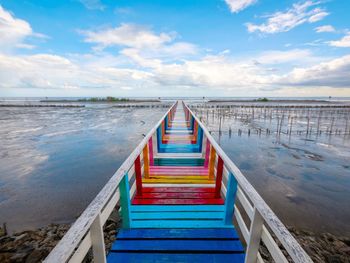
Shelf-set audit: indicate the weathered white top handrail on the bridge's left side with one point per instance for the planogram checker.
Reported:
(67, 245)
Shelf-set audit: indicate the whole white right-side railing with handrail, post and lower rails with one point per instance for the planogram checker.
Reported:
(260, 215)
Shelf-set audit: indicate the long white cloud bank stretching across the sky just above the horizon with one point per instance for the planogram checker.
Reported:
(215, 74)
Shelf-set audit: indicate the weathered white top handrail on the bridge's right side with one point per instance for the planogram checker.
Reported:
(293, 248)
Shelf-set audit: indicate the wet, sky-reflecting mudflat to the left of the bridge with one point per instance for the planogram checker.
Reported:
(53, 161)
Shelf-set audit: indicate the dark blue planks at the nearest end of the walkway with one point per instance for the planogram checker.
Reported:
(177, 245)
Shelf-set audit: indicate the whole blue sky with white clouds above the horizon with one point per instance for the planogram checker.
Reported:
(144, 48)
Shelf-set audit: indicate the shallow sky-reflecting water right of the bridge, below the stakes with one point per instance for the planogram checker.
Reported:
(305, 178)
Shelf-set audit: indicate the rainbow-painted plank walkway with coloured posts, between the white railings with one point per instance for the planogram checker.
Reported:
(178, 212)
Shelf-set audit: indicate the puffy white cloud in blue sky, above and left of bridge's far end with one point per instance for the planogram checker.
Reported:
(140, 44)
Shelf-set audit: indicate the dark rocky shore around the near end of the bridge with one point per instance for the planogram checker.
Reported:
(34, 245)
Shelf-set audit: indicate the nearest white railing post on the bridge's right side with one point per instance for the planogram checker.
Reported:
(254, 237)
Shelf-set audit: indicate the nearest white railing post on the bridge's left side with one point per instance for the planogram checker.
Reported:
(97, 240)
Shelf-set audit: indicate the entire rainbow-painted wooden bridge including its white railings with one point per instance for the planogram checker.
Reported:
(181, 200)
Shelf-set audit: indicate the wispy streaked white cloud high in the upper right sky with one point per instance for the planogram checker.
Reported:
(300, 13)
